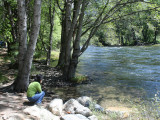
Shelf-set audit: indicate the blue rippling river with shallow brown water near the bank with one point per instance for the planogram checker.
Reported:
(119, 74)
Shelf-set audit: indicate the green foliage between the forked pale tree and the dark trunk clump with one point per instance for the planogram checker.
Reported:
(43, 40)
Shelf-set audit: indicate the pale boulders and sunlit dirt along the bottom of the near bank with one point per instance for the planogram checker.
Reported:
(16, 107)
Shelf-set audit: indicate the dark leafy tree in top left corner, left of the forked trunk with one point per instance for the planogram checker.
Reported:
(8, 27)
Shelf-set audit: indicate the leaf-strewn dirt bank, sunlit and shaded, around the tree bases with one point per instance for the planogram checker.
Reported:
(13, 103)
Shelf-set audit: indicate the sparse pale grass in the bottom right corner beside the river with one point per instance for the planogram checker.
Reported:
(143, 110)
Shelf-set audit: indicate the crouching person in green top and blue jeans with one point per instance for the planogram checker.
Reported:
(34, 91)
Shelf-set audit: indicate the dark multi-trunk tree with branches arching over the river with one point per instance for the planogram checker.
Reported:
(72, 13)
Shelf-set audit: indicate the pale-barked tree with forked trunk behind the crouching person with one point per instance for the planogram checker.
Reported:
(26, 51)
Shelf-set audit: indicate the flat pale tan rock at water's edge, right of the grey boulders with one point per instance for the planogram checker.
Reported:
(121, 111)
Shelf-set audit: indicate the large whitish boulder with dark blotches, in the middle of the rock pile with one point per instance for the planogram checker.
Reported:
(74, 107)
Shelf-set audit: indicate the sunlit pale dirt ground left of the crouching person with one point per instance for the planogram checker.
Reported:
(12, 104)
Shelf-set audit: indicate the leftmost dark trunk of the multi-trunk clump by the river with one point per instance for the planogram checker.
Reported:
(65, 42)
